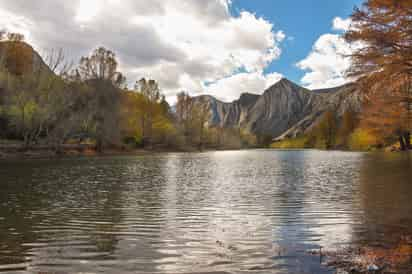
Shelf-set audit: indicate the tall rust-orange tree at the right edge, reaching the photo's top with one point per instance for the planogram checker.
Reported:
(384, 64)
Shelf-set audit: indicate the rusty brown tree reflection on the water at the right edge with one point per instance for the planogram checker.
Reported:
(384, 195)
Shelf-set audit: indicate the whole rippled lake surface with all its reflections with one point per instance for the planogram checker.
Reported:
(216, 212)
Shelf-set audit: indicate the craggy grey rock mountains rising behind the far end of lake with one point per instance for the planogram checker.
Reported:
(283, 110)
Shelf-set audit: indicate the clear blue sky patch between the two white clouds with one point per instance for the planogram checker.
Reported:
(303, 21)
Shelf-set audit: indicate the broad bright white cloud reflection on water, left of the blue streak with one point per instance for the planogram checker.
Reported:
(211, 214)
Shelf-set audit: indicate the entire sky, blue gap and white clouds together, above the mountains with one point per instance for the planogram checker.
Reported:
(218, 47)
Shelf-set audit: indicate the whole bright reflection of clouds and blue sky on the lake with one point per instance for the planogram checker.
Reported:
(237, 215)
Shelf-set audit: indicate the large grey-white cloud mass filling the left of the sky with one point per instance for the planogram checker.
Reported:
(183, 44)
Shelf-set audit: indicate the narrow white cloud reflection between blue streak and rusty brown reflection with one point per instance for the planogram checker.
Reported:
(328, 203)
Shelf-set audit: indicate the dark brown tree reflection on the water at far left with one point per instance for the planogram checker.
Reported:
(51, 204)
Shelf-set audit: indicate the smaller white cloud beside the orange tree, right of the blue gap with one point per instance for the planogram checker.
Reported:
(327, 63)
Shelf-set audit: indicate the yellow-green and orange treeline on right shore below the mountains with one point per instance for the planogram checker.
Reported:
(352, 131)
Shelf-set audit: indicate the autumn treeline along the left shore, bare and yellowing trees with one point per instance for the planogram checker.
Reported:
(51, 103)
